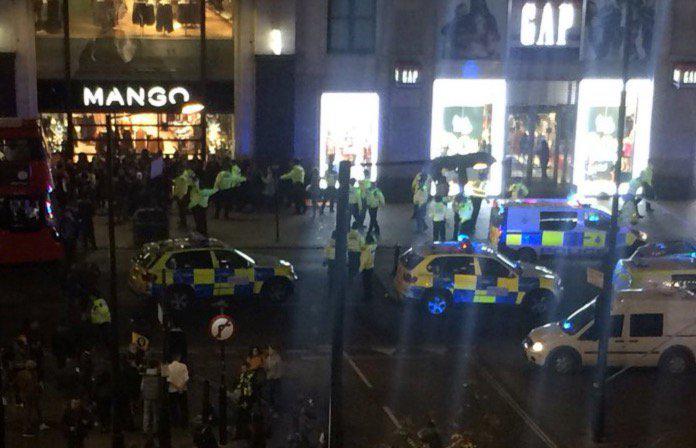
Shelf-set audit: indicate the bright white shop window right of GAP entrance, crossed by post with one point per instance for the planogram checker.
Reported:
(596, 137)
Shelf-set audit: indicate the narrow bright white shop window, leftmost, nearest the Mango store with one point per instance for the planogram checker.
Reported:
(350, 131)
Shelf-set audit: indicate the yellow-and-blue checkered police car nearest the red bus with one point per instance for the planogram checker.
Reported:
(191, 270)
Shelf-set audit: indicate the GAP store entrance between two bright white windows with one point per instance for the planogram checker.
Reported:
(539, 144)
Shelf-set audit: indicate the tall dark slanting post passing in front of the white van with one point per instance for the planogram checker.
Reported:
(603, 304)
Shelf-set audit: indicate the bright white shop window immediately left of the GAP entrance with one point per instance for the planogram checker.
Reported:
(469, 116)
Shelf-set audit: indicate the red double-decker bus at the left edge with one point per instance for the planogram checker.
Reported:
(27, 225)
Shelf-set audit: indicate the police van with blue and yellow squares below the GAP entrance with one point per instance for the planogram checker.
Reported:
(531, 228)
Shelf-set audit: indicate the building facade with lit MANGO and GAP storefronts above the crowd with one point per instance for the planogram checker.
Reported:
(386, 84)
